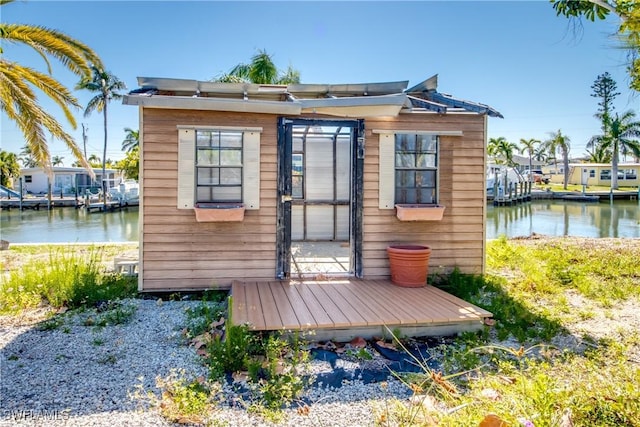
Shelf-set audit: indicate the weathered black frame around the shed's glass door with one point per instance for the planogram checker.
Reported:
(284, 190)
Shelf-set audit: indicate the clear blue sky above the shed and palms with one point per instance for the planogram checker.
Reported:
(517, 56)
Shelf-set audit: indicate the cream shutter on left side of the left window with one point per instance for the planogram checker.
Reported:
(186, 168)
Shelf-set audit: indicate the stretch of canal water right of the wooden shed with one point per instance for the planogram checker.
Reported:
(561, 218)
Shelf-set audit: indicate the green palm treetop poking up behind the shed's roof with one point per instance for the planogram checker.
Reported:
(261, 70)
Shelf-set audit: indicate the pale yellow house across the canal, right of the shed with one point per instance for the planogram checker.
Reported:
(598, 174)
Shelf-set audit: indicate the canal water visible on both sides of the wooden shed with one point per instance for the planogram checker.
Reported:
(550, 217)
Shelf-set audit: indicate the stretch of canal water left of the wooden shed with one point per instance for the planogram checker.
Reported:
(68, 225)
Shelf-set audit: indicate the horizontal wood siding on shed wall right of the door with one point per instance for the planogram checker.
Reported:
(456, 240)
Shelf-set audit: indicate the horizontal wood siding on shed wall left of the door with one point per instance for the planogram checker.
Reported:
(180, 253)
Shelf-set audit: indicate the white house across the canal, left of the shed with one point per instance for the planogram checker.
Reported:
(65, 180)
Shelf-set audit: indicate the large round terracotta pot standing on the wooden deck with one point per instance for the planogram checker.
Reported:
(409, 265)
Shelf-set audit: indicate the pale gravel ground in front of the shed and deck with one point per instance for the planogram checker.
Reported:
(79, 375)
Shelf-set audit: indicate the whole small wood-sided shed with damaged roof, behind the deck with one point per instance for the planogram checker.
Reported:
(262, 182)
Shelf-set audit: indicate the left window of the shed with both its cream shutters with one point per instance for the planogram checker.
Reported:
(218, 164)
